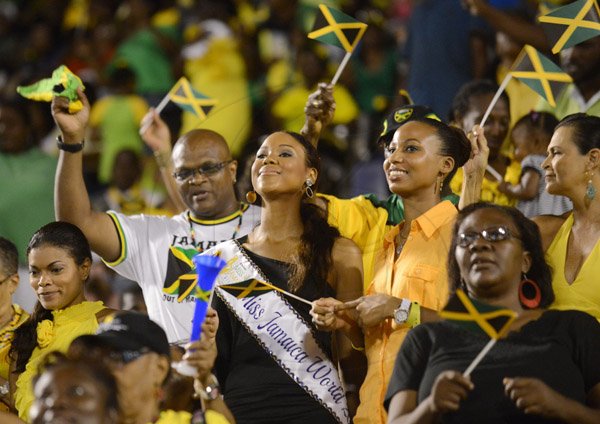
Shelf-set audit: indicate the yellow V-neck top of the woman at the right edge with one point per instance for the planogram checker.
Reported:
(583, 294)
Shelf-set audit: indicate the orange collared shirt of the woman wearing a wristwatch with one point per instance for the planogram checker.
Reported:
(418, 274)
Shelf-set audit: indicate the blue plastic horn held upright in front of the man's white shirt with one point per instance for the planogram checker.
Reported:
(207, 267)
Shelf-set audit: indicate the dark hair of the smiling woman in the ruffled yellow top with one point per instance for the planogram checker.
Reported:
(56, 234)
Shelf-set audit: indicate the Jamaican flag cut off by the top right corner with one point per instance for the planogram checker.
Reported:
(571, 24)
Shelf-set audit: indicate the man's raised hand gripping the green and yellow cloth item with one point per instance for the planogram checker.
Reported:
(72, 125)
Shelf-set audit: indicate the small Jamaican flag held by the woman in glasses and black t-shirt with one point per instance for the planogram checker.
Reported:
(478, 317)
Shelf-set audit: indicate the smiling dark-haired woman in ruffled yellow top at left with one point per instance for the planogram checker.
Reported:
(59, 259)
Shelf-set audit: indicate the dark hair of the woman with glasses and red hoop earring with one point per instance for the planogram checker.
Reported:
(530, 239)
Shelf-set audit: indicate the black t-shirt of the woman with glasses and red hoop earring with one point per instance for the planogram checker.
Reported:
(561, 348)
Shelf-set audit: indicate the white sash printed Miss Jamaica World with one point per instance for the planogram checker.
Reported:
(281, 331)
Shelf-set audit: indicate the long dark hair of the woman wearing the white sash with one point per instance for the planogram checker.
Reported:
(317, 240)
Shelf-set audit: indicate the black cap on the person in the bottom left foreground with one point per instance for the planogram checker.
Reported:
(130, 332)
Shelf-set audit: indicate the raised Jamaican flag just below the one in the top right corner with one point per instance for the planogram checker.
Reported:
(539, 73)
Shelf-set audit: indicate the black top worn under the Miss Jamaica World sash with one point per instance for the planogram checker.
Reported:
(256, 389)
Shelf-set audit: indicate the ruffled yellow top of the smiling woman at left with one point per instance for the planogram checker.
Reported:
(68, 324)
